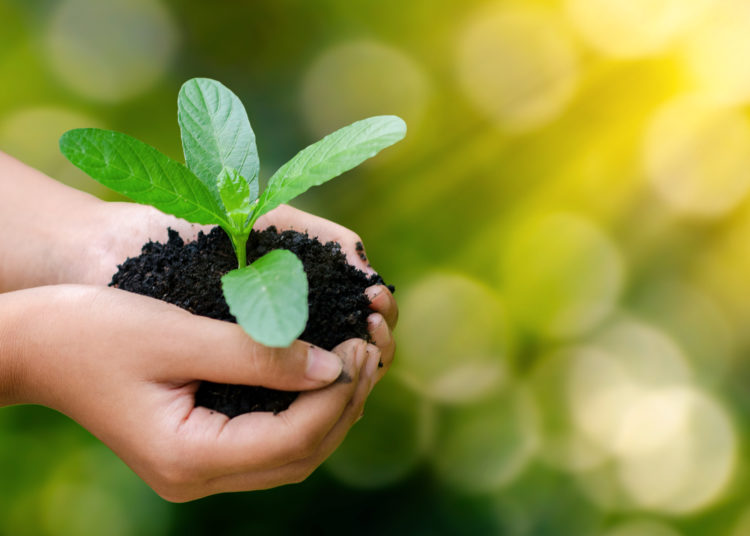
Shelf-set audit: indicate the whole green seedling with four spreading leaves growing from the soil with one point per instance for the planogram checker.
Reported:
(219, 186)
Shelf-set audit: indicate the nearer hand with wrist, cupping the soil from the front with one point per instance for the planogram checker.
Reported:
(126, 367)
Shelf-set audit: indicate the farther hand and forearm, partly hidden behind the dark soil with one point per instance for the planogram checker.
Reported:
(76, 238)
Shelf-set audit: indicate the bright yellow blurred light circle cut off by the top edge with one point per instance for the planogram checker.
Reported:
(632, 28)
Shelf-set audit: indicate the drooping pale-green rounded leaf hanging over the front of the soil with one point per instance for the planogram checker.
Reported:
(269, 298)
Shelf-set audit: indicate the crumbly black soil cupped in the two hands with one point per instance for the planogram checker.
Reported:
(189, 276)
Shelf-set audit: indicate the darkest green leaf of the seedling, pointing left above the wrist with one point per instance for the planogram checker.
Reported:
(142, 173)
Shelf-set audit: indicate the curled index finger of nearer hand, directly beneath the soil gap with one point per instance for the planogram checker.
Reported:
(259, 440)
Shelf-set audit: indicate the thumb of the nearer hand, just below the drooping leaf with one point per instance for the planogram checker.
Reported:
(222, 352)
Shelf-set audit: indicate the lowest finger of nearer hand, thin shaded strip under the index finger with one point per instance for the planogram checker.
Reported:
(296, 471)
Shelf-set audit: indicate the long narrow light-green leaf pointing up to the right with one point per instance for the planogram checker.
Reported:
(333, 155)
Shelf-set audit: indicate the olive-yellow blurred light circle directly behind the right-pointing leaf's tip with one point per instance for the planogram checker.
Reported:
(354, 80)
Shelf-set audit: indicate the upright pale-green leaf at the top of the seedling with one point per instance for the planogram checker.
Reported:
(216, 133)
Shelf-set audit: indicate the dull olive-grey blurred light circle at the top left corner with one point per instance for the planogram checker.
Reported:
(113, 50)
